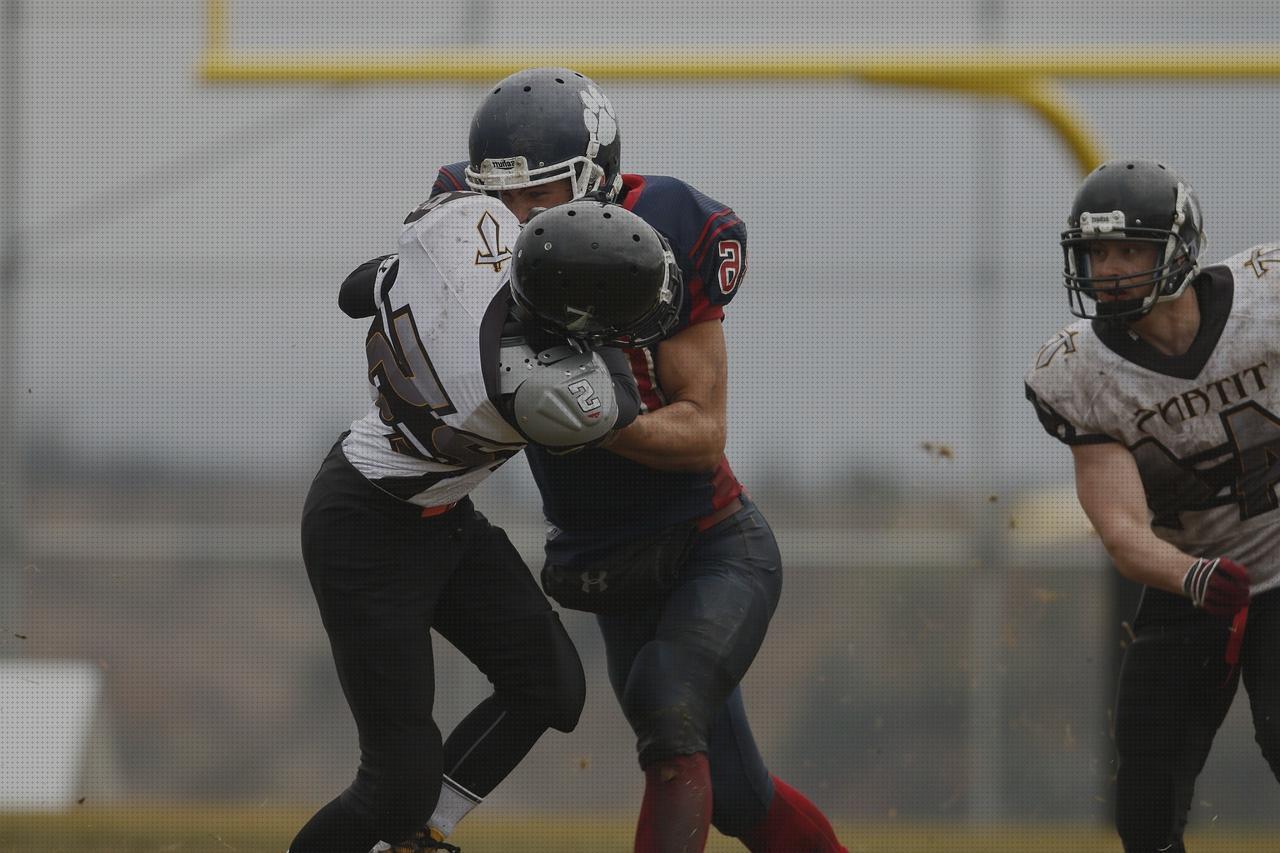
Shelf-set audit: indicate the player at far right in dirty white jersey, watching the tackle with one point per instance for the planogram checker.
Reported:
(1168, 393)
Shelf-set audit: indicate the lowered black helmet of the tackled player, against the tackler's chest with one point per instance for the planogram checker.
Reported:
(597, 273)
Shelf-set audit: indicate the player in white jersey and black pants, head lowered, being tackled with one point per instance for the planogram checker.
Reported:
(463, 377)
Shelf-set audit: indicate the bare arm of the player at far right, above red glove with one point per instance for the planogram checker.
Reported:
(1110, 491)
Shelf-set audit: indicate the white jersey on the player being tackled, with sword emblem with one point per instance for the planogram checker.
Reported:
(433, 432)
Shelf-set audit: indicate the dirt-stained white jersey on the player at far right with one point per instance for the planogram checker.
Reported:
(1204, 427)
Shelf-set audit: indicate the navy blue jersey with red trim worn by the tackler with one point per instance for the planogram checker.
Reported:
(597, 499)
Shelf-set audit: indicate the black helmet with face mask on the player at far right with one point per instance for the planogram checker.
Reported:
(1141, 202)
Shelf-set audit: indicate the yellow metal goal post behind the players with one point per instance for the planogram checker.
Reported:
(1027, 77)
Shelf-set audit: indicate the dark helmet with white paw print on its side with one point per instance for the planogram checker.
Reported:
(545, 125)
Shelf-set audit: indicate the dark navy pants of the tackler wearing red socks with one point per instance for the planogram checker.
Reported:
(676, 667)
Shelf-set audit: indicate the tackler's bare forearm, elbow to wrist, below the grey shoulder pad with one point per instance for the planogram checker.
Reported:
(679, 437)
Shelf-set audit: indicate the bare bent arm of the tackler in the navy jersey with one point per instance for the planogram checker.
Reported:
(687, 435)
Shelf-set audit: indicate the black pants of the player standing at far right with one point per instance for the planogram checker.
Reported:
(1176, 690)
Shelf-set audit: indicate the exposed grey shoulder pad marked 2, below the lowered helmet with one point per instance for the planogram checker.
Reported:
(561, 398)
